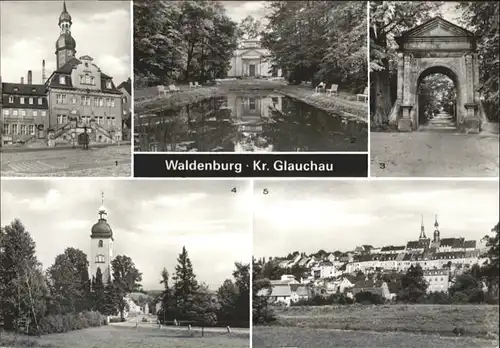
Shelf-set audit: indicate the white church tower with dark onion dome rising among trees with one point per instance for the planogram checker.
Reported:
(101, 249)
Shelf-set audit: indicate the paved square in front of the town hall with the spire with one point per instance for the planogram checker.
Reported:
(101, 162)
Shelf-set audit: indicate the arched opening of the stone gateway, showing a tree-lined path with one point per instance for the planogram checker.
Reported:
(437, 99)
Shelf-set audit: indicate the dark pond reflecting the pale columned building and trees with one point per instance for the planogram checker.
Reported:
(242, 123)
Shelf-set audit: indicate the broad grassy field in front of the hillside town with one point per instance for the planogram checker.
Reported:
(386, 326)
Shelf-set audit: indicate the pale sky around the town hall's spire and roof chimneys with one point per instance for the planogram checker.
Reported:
(30, 30)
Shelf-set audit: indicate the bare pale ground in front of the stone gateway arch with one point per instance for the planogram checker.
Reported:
(432, 154)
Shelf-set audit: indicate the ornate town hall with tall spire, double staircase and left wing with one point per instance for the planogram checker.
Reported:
(76, 99)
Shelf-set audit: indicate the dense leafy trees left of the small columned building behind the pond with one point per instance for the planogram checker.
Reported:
(181, 40)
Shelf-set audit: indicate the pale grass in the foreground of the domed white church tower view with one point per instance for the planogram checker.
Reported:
(127, 337)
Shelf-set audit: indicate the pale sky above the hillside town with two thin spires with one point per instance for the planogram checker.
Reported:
(307, 216)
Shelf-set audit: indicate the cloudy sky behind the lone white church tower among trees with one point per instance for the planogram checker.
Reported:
(151, 221)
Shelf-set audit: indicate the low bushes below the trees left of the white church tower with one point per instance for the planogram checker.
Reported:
(59, 323)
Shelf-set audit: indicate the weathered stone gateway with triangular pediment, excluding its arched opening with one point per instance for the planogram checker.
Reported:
(438, 46)
